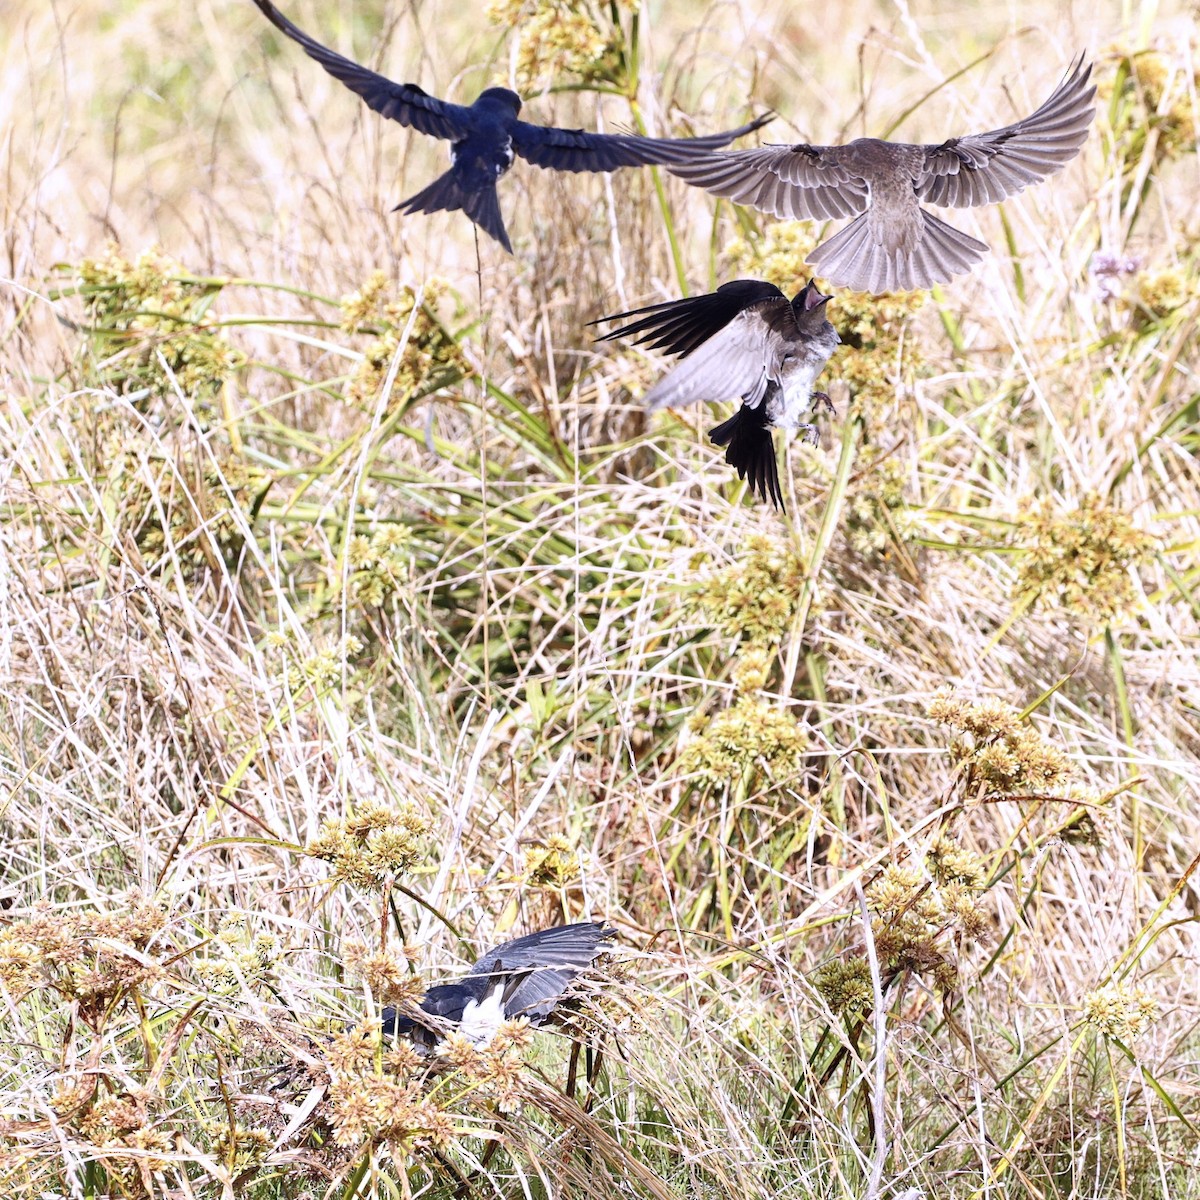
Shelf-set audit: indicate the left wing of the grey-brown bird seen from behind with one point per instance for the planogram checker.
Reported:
(800, 183)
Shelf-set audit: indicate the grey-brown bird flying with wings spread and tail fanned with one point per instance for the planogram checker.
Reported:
(896, 245)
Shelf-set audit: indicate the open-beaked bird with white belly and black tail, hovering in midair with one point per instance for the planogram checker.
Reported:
(745, 340)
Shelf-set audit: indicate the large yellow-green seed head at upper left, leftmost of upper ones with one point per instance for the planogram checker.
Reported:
(155, 327)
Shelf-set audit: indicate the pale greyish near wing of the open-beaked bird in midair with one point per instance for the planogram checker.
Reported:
(739, 362)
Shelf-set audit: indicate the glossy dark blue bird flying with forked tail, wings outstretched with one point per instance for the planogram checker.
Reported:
(487, 137)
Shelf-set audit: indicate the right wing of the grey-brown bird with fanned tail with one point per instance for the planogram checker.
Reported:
(983, 169)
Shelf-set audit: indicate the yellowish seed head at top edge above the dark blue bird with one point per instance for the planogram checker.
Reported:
(565, 38)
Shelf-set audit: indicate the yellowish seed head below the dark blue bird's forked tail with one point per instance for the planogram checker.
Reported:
(431, 355)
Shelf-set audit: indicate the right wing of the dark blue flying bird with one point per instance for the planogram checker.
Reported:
(545, 146)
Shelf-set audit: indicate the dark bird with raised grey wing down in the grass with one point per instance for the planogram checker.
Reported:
(527, 977)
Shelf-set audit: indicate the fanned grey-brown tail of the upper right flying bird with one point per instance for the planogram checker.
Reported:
(854, 259)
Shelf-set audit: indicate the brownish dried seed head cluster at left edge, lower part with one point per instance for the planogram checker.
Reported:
(97, 959)
